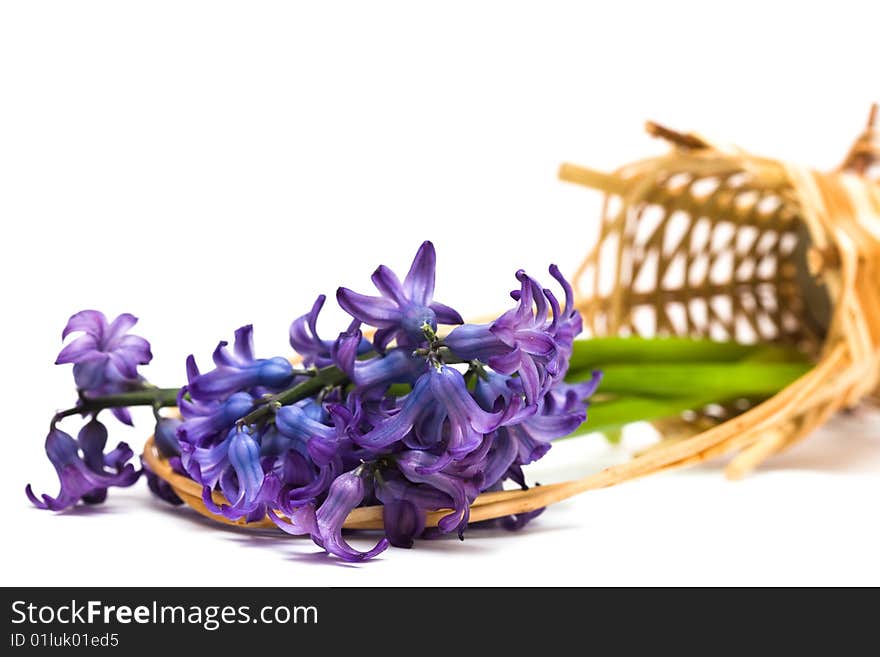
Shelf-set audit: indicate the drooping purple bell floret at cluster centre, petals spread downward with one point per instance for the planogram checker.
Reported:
(439, 401)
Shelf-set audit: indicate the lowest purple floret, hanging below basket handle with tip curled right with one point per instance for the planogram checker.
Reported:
(346, 493)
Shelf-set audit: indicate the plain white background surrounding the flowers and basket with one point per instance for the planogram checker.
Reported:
(204, 165)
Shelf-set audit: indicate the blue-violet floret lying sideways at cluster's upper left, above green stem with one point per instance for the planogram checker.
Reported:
(240, 370)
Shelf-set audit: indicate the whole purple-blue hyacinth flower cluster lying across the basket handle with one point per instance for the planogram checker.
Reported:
(394, 411)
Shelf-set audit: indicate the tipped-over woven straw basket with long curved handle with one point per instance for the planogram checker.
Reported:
(714, 242)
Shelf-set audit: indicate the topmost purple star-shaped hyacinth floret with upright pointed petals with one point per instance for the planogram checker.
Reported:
(404, 308)
